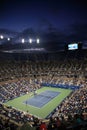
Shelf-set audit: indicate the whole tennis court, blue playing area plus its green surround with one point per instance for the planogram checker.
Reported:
(47, 99)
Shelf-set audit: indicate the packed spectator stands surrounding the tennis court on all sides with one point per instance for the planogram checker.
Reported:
(20, 77)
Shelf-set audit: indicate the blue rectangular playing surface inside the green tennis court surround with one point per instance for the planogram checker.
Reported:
(41, 99)
